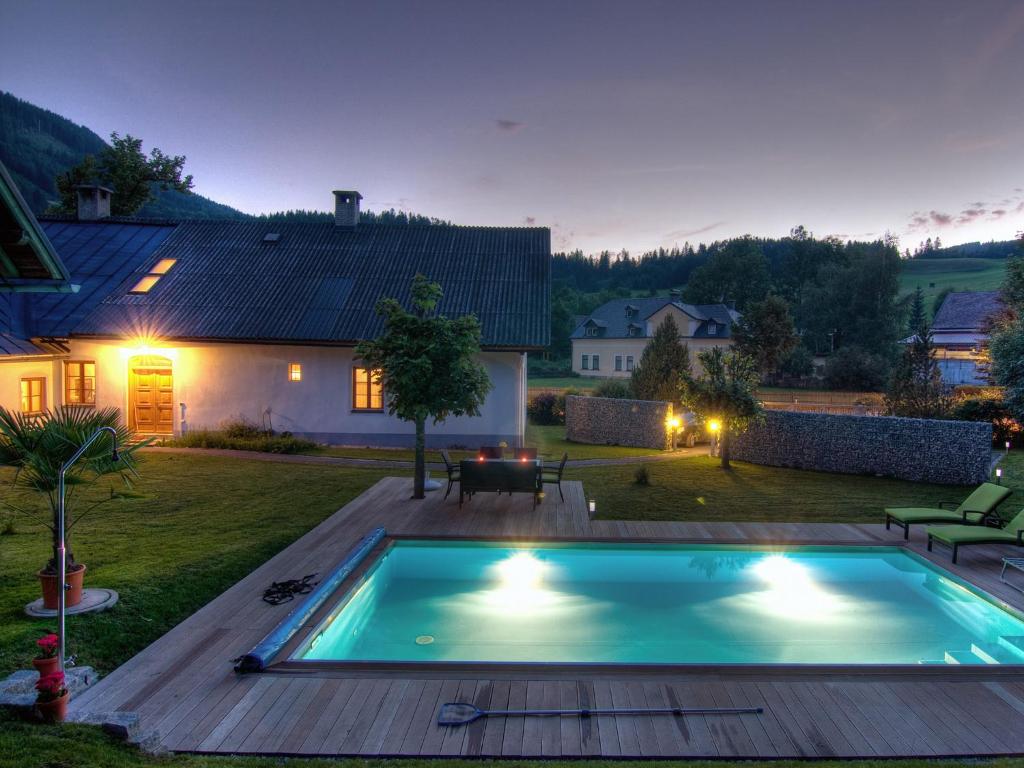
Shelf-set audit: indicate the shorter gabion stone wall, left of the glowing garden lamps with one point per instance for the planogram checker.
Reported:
(608, 421)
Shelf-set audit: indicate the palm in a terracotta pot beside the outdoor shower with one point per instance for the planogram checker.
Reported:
(37, 447)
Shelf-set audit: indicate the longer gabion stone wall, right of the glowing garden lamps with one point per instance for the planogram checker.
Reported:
(925, 450)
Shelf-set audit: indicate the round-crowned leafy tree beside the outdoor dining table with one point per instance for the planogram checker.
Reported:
(428, 365)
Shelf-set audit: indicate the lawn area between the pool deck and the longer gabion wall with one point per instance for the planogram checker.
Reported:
(697, 489)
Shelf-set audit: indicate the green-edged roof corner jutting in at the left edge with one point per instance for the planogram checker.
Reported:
(28, 261)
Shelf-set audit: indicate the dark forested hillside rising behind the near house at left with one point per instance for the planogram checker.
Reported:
(37, 145)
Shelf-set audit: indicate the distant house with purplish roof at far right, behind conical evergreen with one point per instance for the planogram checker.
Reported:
(960, 334)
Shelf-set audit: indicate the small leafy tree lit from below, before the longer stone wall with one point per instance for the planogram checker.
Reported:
(726, 393)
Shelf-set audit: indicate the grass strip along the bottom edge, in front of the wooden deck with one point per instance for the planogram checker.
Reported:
(25, 746)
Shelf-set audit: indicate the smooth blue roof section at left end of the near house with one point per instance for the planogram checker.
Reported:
(100, 257)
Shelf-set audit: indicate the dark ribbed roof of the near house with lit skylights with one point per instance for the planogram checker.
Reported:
(319, 283)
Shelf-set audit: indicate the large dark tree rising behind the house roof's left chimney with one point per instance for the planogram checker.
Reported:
(125, 168)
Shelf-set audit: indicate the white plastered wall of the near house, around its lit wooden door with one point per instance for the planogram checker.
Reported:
(215, 382)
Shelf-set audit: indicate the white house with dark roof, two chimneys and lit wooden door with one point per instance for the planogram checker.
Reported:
(184, 325)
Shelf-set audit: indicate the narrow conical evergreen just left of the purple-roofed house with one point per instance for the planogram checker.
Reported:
(916, 388)
